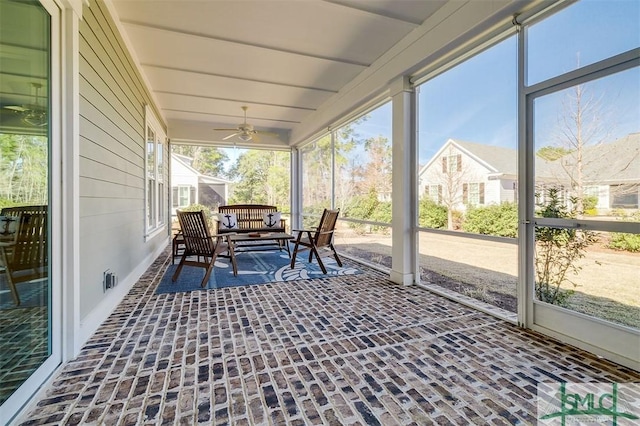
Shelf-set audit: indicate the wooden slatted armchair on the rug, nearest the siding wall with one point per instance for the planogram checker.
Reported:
(199, 242)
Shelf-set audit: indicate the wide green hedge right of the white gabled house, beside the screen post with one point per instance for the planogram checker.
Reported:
(496, 219)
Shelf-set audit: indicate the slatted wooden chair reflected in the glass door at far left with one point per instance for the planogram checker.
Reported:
(26, 256)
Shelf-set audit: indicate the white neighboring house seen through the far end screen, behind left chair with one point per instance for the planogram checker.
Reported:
(188, 186)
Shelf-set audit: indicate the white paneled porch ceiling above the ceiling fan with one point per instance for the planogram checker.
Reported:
(281, 58)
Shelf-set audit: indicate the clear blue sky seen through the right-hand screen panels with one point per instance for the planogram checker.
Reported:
(477, 100)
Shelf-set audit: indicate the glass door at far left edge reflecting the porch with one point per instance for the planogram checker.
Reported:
(26, 291)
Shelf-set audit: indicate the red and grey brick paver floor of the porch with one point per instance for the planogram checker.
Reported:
(354, 350)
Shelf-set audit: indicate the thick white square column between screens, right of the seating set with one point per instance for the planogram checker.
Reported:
(403, 208)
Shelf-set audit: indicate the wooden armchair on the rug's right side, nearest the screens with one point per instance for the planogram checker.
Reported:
(317, 239)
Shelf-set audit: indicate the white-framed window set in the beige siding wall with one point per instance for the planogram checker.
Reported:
(156, 196)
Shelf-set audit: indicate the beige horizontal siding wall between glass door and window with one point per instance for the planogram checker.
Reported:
(112, 149)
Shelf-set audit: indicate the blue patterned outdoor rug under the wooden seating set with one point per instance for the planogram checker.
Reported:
(259, 267)
